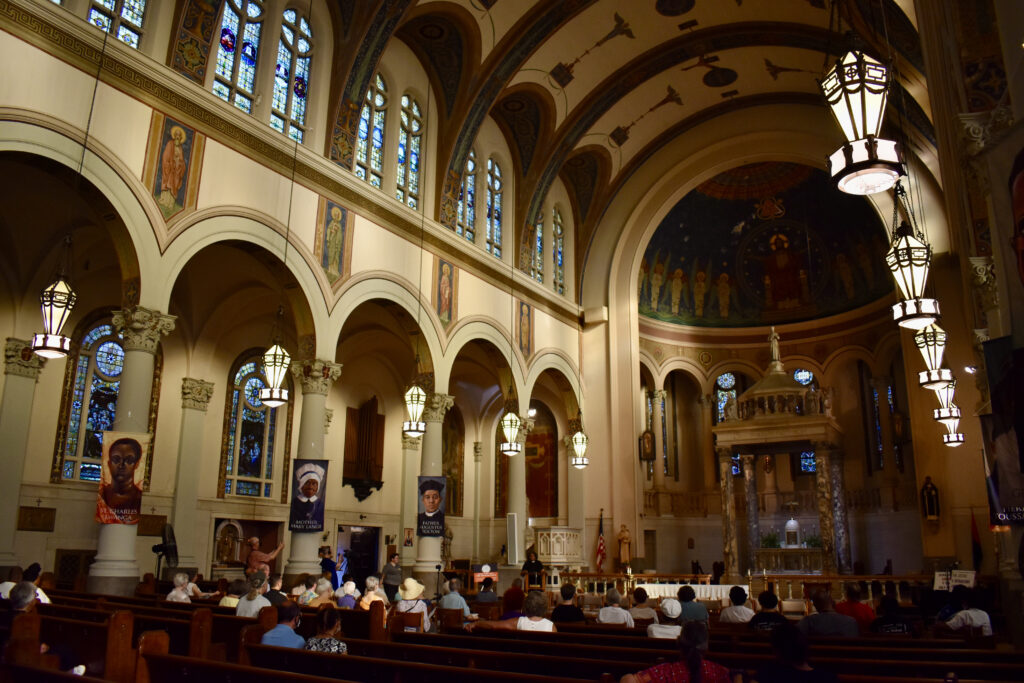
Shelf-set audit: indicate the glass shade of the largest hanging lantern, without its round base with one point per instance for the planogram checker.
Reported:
(857, 90)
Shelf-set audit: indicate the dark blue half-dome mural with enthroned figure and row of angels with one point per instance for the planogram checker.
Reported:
(764, 244)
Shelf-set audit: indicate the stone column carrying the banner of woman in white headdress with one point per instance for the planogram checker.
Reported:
(316, 376)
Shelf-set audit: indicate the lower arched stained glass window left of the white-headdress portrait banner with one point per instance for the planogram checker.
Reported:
(250, 443)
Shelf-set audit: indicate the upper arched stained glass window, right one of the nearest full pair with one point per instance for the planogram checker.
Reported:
(291, 76)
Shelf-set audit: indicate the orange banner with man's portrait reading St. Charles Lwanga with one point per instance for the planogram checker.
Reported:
(119, 500)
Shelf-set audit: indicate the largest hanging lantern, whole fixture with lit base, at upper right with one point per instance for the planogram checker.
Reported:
(857, 90)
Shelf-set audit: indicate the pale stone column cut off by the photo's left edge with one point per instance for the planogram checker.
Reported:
(22, 369)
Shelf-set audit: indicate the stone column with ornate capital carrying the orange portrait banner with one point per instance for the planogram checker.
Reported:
(116, 571)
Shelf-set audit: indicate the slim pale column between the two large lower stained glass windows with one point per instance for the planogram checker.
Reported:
(195, 400)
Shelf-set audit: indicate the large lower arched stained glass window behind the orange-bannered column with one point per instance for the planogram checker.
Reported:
(89, 406)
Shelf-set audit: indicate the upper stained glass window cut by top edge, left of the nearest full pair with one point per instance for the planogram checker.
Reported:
(238, 54)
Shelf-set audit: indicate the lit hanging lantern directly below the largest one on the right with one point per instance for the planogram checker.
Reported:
(909, 260)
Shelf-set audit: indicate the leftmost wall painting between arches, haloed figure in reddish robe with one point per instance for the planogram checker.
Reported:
(174, 163)
